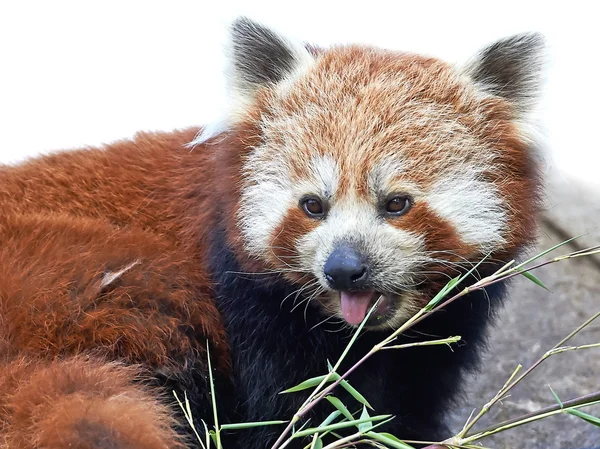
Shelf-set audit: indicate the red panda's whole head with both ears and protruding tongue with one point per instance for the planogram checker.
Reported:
(380, 175)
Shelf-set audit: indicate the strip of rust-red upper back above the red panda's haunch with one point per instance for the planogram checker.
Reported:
(128, 183)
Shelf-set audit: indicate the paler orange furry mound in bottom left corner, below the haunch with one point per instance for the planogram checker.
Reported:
(80, 403)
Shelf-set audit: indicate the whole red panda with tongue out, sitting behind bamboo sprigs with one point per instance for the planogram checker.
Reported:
(338, 177)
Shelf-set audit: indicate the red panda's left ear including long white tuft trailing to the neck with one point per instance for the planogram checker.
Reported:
(257, 57)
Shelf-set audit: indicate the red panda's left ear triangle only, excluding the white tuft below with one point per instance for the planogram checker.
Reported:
(260, 57)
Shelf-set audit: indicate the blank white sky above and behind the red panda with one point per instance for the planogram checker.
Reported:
(76, 73)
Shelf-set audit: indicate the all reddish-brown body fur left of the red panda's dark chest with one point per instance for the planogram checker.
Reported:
(68, 221)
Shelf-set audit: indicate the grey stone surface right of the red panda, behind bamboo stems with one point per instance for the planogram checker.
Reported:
(533, 321)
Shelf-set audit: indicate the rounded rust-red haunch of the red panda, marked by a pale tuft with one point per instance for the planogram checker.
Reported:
(128, 318)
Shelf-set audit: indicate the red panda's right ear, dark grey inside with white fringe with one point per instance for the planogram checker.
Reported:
(511, 68)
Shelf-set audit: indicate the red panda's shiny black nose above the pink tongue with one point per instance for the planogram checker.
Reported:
(345, 269)
